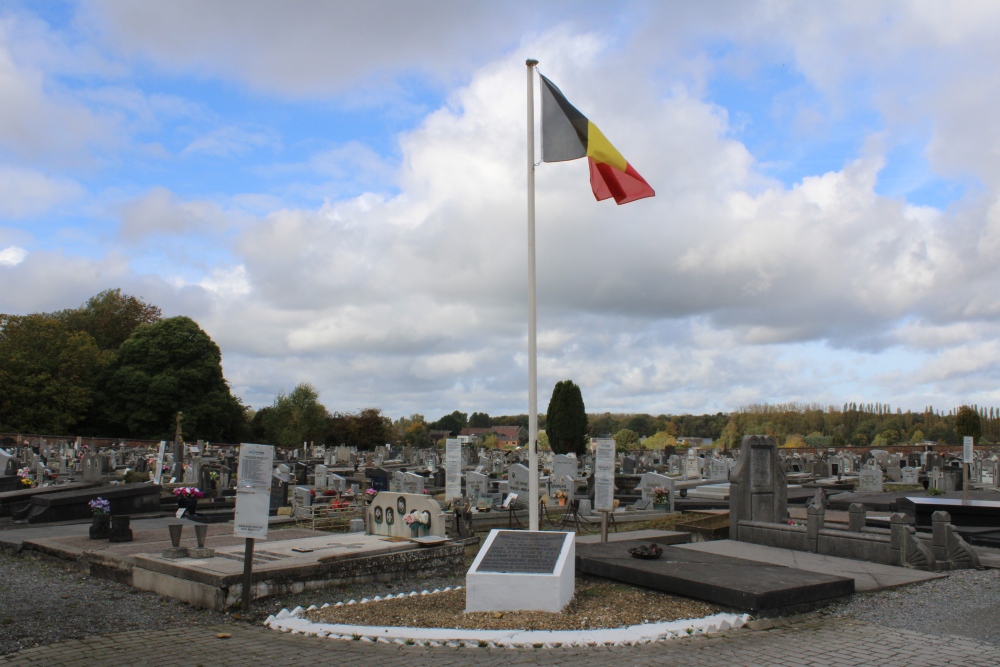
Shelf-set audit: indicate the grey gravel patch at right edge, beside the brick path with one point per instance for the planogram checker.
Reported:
(964, 604)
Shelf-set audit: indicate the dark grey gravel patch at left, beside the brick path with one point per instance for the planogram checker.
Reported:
(43, 602)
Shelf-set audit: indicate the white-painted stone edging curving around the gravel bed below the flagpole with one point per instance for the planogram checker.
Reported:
(293, 622)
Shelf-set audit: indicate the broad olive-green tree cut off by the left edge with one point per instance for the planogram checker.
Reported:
(46, 374)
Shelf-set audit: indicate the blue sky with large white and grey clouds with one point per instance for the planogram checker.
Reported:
(336, 193)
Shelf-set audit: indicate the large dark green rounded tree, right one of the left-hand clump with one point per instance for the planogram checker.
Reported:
(161, 369)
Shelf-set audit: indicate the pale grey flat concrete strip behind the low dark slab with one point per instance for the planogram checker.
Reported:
(867, 576)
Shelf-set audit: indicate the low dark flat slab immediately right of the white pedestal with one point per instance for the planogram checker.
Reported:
(732, 582)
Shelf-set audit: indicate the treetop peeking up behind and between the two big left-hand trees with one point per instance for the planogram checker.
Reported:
(110, 317)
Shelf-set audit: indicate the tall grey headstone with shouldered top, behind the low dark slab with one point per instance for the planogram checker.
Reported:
(758, 489)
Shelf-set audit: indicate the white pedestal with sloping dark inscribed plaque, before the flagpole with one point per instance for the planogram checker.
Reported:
(520, 570)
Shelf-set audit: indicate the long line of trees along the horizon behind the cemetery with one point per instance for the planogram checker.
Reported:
(114, 367)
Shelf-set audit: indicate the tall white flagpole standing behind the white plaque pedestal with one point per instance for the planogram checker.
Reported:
(532, 345)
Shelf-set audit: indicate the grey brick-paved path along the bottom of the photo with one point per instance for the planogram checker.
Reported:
(820, 642)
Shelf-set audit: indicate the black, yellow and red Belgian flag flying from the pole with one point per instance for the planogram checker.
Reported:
(568, 135)
